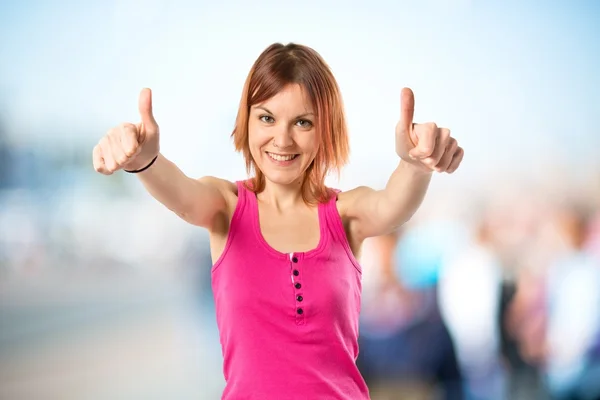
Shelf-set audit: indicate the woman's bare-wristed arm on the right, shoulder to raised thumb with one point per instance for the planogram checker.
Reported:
(423, 149)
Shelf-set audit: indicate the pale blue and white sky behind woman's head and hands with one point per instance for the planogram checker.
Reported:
(517, 83)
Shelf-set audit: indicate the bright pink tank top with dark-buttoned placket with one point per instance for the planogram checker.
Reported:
(288, 323)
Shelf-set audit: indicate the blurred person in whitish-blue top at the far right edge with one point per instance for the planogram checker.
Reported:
(572, 362)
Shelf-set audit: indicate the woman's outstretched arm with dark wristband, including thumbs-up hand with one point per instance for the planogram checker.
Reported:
(132, 147)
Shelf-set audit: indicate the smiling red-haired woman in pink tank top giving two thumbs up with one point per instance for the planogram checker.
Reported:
(286, 281)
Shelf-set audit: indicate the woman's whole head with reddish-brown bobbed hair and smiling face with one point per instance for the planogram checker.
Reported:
(297, 85)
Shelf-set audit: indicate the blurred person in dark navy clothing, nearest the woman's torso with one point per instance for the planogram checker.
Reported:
(406, 350)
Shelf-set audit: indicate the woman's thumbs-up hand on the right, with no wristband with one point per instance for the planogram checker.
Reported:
(425, 145)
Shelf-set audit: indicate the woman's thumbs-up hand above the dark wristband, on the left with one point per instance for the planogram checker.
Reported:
(129, 146)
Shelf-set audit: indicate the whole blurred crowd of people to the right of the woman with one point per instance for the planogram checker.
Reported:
(501, 301)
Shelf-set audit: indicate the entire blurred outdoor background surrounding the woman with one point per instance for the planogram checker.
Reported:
(492, 290)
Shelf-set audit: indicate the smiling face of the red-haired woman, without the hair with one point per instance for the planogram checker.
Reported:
(282, 135)
